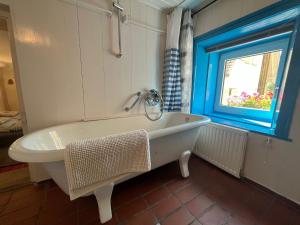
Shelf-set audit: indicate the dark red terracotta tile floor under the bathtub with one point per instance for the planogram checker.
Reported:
(208, 197)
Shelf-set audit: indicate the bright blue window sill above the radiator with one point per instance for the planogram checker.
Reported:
(246, 124)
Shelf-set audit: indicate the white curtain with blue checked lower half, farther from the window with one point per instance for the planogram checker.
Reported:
(171, 75)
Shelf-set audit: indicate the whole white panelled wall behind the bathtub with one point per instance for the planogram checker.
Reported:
(67, 67)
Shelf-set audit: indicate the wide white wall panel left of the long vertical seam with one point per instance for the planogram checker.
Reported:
(46, 38)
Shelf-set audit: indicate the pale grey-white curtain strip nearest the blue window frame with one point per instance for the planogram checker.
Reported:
(186, 49)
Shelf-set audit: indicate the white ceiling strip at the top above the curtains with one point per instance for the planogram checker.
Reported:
(167, 4)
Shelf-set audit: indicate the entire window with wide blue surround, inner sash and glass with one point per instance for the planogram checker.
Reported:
(245, 73)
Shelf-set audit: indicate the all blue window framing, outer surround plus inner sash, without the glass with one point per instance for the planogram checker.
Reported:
(233, 41)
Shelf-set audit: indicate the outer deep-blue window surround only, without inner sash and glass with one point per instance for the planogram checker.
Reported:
(204, 90)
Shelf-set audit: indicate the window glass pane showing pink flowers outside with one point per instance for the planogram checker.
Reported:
(250, 81)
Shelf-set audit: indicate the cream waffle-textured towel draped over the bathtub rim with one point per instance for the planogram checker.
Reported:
(92, 163)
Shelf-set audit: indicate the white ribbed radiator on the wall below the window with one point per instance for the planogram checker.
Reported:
(222, 146)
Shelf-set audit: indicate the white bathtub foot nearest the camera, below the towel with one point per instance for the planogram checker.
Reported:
(103, 196)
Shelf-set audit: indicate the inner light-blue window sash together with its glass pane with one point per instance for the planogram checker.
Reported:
(249, 78)
